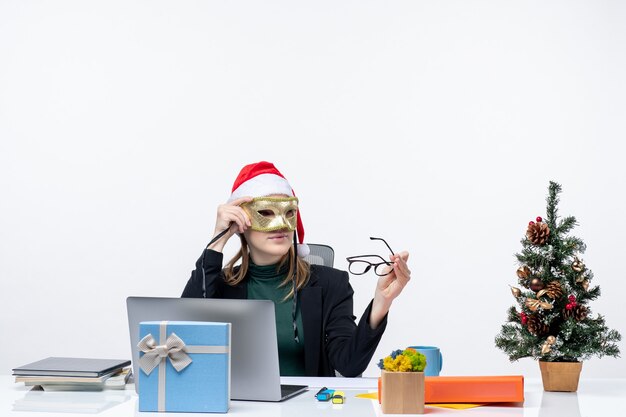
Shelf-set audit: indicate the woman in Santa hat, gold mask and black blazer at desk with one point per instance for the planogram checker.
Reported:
(316, 329)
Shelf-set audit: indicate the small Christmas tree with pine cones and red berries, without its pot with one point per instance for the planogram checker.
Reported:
(554, 321)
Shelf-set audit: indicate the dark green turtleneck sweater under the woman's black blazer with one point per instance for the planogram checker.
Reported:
(264, 284)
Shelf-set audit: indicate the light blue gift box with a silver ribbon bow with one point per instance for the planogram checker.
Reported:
(184, 366)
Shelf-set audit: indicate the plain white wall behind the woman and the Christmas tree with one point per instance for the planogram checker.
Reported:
(436, 125)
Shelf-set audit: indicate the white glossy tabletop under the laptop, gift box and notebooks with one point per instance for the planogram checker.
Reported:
(595, 397)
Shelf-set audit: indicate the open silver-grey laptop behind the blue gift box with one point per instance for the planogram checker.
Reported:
(255, 373)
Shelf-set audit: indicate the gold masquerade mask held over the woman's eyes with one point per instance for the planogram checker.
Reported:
(268, 214)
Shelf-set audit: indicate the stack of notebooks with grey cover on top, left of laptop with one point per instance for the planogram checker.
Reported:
(79, 374)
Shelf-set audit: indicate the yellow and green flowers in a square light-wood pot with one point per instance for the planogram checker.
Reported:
(402, 382)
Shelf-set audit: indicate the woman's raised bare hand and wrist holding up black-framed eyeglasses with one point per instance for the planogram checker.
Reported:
(389, 287)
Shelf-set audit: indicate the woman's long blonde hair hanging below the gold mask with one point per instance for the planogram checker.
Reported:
(302, 268)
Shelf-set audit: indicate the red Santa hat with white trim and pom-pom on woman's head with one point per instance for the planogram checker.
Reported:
(262, 179)
